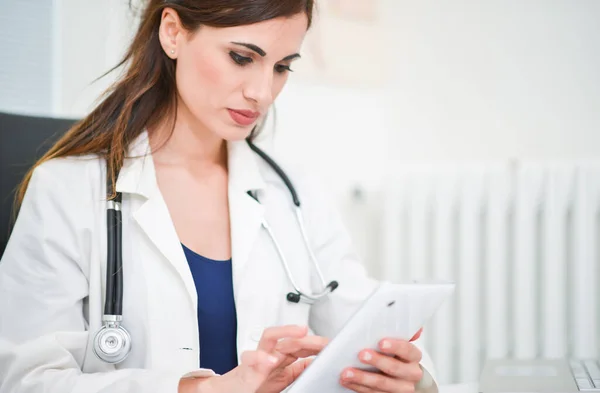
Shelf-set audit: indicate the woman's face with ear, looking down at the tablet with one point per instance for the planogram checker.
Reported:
(227, 78)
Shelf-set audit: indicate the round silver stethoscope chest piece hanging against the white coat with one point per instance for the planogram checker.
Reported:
(112, 343)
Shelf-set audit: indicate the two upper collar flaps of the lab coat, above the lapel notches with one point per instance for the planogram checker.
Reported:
(138, 175)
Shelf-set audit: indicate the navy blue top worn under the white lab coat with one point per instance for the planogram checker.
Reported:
(217, 322)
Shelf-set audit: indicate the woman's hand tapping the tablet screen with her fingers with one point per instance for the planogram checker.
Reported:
(272, 366)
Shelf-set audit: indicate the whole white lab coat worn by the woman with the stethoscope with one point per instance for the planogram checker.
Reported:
(52, 275)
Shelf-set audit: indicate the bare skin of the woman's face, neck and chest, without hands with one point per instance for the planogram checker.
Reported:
(192, 166)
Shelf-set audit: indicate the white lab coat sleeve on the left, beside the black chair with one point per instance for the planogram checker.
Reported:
(43, 288)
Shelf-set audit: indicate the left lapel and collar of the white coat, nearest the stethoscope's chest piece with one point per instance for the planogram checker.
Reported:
(138, 177)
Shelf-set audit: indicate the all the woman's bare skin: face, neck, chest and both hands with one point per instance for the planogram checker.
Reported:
(214, 73)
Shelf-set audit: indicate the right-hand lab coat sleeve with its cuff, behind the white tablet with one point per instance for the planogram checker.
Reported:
(340, 262)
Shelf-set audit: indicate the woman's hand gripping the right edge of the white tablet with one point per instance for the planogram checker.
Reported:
(398, 364)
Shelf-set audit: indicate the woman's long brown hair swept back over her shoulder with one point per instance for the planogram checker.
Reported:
(146, 93)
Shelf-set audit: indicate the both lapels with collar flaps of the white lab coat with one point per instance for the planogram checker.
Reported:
(138, 177)
